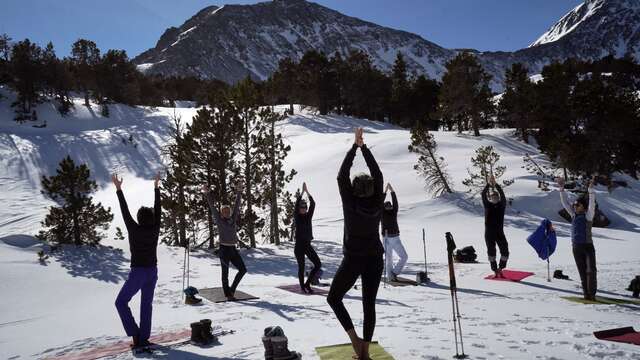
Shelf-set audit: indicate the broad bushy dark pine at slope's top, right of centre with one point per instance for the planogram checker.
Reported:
(465, 95)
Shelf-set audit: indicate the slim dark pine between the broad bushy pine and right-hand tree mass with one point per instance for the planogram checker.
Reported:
(516, 105)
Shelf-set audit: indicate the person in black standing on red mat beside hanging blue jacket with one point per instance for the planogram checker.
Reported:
(494, 207)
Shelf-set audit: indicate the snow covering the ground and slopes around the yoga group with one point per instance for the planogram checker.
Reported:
(68, 304)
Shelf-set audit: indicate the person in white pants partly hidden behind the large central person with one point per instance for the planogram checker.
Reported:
(391, 234)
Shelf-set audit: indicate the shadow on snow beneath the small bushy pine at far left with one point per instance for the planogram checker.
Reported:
(94, 262)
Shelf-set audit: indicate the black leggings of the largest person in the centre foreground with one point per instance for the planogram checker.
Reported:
(370, 268)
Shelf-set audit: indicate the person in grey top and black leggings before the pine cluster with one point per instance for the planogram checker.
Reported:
(227, 222)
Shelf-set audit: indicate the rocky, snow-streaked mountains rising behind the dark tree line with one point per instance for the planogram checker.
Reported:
(235, 41)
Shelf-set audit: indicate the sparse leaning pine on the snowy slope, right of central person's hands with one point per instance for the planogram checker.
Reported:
(430, 166)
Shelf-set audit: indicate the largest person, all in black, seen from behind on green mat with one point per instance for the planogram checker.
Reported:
(362, 204)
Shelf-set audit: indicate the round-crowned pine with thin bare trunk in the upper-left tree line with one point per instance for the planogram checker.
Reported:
(85, 56)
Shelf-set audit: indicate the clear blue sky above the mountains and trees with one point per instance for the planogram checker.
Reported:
(136, 25)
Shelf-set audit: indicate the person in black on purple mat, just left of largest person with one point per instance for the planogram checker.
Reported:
(302, 218)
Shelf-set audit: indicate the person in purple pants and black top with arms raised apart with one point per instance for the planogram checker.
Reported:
(143, 241)
